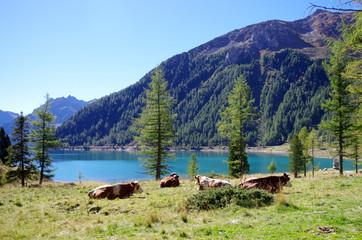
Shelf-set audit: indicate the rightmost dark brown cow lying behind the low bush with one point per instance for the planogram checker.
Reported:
(271, 184)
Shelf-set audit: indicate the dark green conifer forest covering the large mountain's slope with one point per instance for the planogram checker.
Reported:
(288, 87)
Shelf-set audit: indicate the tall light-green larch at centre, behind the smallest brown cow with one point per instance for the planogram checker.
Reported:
(155, 127)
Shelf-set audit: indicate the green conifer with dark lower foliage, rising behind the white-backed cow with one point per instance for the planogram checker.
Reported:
(239, 111)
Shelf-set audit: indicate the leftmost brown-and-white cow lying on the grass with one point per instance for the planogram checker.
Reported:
(119, 190)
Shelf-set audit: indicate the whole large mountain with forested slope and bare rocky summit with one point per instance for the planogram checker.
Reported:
(280, 60)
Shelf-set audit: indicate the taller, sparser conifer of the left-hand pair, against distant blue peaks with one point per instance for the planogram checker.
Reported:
(43, 137)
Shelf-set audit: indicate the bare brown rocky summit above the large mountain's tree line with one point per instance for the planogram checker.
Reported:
(308, 35)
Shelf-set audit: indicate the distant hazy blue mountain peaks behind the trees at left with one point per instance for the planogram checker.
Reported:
(63, 108)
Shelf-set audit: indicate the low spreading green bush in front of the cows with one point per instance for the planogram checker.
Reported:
(220, 197)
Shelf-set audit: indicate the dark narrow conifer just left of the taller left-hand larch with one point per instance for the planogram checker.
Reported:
(22, 167)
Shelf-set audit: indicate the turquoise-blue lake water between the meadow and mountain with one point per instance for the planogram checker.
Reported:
(114, 166)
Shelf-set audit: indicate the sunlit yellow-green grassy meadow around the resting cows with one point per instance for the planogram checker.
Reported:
(324, 207)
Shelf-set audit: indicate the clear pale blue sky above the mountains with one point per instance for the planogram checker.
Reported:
(90, 49)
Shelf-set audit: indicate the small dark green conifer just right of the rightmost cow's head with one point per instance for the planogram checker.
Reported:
(296, 163)
